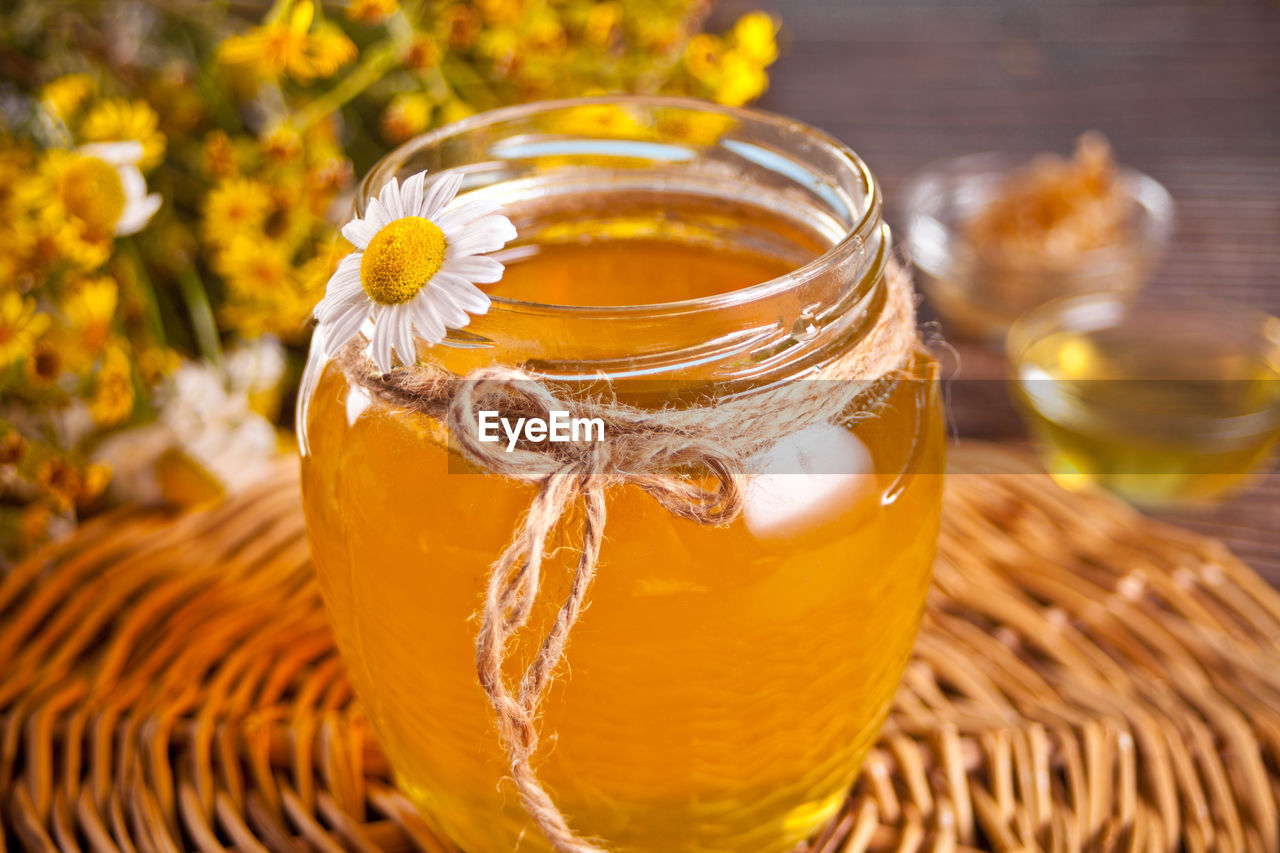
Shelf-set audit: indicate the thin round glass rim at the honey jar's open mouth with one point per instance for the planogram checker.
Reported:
(857, 234)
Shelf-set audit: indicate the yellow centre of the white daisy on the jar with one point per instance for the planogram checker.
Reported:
(401, 259)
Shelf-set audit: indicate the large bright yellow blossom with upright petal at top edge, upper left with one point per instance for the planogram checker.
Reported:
(290, 47)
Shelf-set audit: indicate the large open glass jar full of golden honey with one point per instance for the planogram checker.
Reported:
(724, 685)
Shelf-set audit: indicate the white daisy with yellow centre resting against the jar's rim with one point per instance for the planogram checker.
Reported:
(415, 270)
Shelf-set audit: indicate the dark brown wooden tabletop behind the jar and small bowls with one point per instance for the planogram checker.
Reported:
(1186, 90)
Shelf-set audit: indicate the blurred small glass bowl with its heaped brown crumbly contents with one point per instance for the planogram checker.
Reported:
(994, 238)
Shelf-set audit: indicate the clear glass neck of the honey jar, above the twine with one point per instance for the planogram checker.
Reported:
(578, 162)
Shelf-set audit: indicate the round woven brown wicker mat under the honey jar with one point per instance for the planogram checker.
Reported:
(1086, 679)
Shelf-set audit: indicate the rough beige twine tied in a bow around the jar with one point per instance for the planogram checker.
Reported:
(693, 462)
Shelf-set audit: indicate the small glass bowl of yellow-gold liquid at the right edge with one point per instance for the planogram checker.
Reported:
(1163, 405)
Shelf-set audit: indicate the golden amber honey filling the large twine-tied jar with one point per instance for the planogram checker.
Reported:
(724, 685)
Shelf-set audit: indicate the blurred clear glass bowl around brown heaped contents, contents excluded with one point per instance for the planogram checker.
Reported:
(979, 297)
